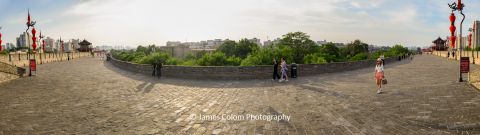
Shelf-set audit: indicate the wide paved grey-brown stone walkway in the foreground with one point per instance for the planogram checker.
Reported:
(88, 96)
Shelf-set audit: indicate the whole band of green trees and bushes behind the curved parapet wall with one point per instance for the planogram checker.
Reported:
(295, 47)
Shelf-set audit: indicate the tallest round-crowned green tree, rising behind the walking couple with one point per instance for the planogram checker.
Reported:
(300, 43)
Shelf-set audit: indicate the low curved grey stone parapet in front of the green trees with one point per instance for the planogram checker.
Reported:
(243, 72)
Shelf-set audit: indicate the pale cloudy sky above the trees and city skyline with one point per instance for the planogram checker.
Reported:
(144, 22)
